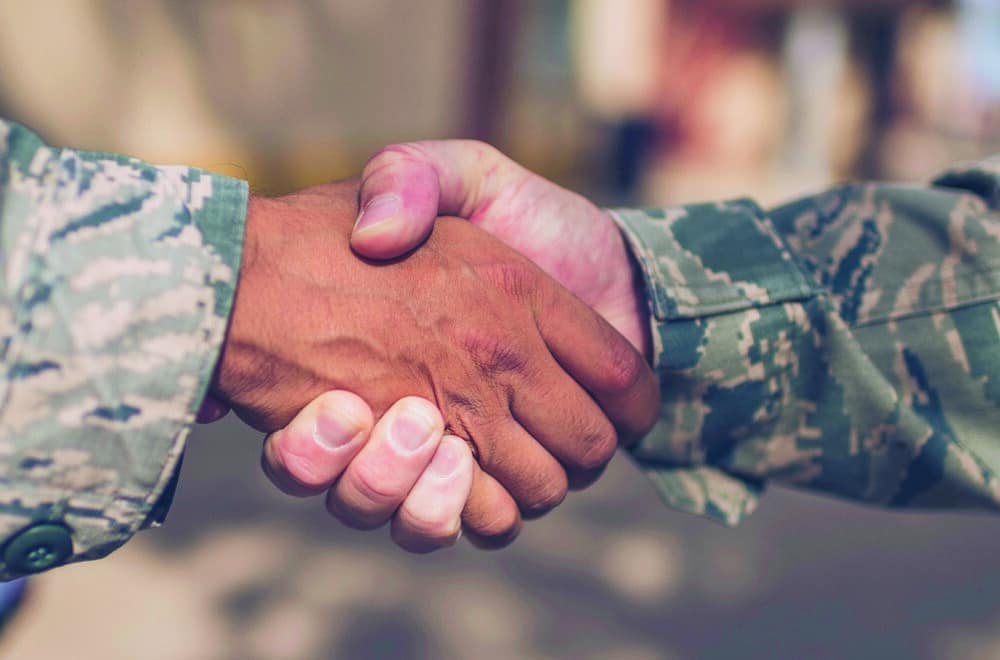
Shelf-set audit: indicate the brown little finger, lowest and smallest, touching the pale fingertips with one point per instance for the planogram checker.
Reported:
(490, 519)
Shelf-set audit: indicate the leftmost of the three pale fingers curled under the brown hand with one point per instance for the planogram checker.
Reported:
(309, 454)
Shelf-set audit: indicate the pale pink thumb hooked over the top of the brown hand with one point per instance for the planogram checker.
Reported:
(405, 187)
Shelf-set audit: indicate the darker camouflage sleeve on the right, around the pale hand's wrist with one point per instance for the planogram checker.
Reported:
(847, 343)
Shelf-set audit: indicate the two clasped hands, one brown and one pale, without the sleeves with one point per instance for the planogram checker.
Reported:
(457, 380)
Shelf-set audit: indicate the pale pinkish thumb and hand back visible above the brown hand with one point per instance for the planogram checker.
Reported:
(405, 187)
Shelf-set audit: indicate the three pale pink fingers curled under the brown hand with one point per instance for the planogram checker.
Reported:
(330, 446)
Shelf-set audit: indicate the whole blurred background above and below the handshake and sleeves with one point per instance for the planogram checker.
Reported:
(632, 102)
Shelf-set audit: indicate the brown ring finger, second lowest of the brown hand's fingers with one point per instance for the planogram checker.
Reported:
(527, 471)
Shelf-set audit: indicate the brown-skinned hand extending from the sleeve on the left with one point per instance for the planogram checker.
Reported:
(465, 322)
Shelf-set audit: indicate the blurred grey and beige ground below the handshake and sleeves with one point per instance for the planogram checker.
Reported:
(241, 571)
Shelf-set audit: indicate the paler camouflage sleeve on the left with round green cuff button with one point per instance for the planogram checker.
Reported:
(117, 278)
